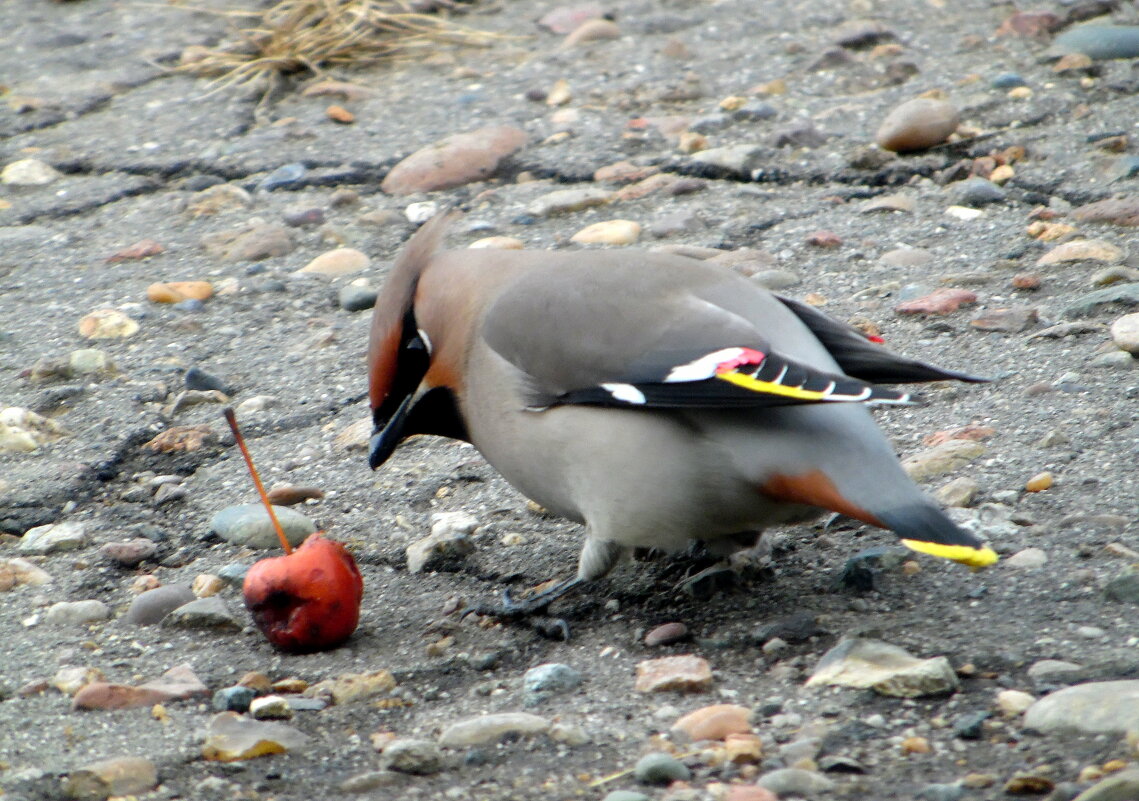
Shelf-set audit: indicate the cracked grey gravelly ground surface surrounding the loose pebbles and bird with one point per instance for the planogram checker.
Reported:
(89, 93)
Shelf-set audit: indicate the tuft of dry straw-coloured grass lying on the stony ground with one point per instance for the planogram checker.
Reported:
(308, 37)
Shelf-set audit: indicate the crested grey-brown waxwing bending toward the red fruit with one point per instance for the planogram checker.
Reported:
(658, 399)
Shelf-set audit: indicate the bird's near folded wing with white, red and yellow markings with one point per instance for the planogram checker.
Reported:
(602, 339)
